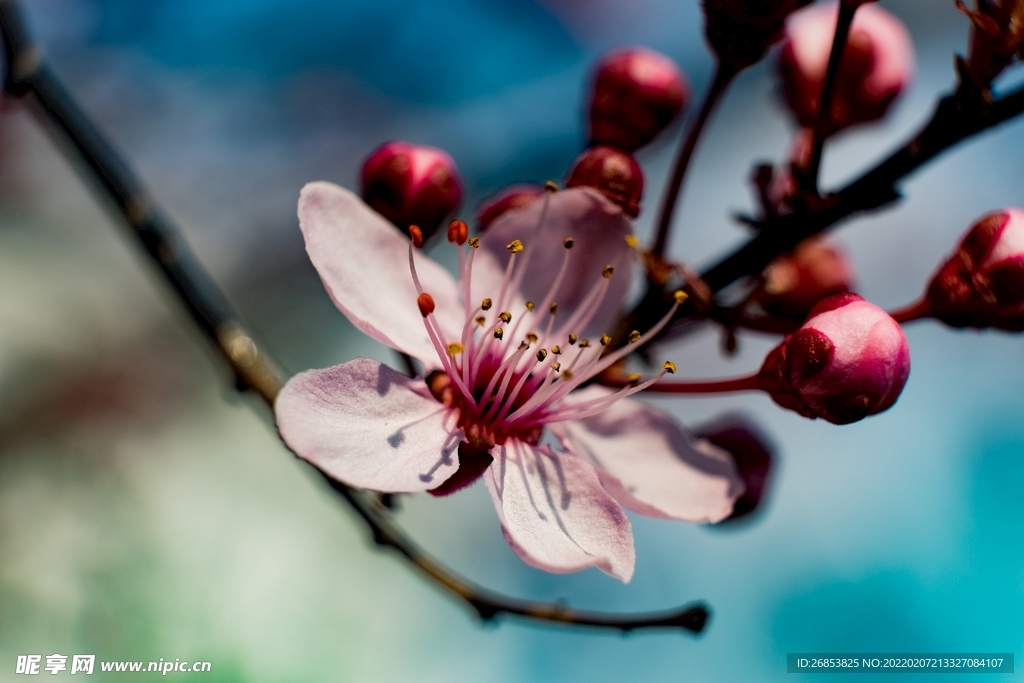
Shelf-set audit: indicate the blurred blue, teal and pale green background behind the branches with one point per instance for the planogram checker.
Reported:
(148, 513)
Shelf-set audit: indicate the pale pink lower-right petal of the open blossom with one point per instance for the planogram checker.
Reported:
(650, 465)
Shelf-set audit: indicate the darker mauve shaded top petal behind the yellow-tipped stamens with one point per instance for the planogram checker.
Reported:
(599, 229)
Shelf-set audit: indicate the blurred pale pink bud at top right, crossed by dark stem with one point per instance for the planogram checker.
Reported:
(878, 65)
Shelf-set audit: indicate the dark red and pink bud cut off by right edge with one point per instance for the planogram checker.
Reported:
(983, 284)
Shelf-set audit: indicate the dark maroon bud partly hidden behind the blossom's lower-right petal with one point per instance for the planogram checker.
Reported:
(752, 453)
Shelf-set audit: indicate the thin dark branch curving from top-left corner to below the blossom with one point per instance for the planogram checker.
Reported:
(28, 75)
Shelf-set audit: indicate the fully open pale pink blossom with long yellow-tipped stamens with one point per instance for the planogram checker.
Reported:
(509, 345)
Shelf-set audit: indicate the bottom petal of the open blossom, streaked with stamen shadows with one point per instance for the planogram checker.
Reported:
(556, 515)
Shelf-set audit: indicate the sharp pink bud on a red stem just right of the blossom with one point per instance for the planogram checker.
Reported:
(848, 361)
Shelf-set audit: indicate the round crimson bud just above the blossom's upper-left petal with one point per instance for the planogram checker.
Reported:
(412, 185)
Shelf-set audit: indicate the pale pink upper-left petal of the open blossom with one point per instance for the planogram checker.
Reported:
(364, 263)
